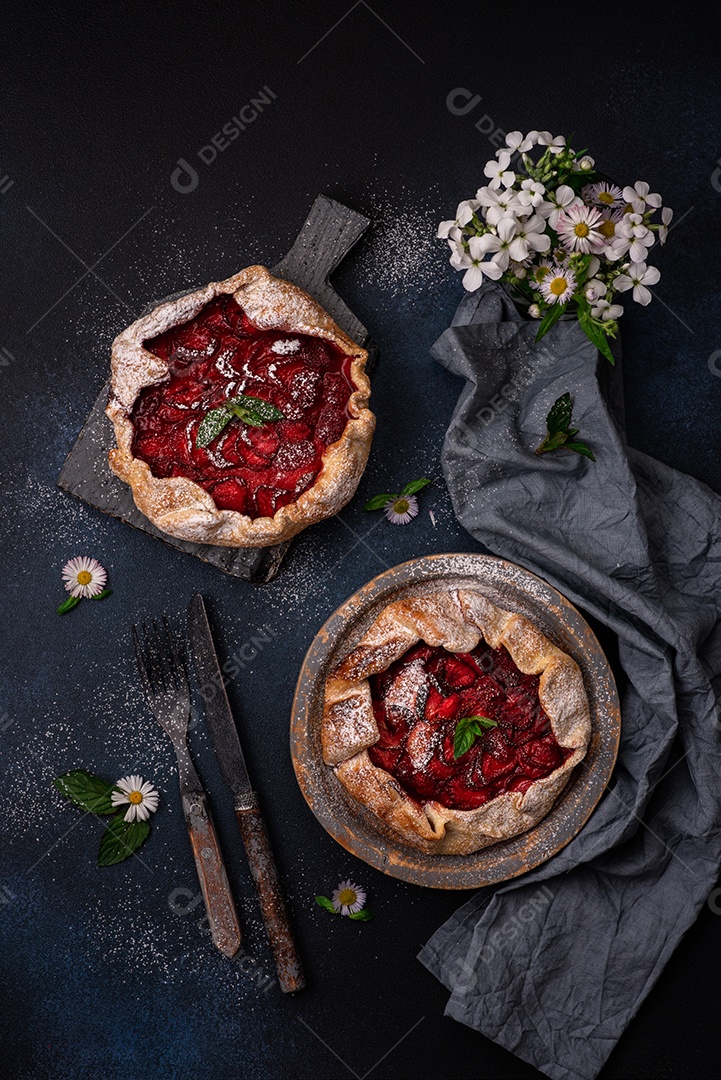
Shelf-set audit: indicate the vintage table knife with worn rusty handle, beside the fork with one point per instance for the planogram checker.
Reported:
(227, 746)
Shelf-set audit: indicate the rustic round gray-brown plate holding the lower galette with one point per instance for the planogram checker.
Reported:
(512, 588)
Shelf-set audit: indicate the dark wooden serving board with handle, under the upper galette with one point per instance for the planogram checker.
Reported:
(330, 233)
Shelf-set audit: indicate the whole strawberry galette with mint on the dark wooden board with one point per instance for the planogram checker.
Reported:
(241, 413)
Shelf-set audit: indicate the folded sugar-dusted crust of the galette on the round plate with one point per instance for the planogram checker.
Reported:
(455, 620)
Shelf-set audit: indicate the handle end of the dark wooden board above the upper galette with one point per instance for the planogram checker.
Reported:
(328, 236)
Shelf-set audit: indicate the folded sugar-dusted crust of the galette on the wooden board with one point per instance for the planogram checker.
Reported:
(181, 507)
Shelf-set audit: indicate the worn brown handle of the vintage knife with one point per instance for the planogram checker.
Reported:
(273, 907)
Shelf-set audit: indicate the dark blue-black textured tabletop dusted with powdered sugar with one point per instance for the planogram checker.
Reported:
(104, 975)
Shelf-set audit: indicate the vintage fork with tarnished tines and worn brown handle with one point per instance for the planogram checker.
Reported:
(166, 683)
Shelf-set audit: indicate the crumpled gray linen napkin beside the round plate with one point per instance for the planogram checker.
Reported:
(553, 966)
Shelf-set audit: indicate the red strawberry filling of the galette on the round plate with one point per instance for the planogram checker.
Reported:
(418, 704)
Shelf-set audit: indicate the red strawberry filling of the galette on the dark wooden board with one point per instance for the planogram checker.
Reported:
(222, 355)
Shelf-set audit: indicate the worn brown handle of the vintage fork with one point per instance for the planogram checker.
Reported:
(223, 919)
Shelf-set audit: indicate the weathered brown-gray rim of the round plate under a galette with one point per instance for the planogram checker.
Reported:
(432, 872)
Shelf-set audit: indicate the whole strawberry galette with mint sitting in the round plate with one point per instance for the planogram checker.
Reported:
(455, 722)
